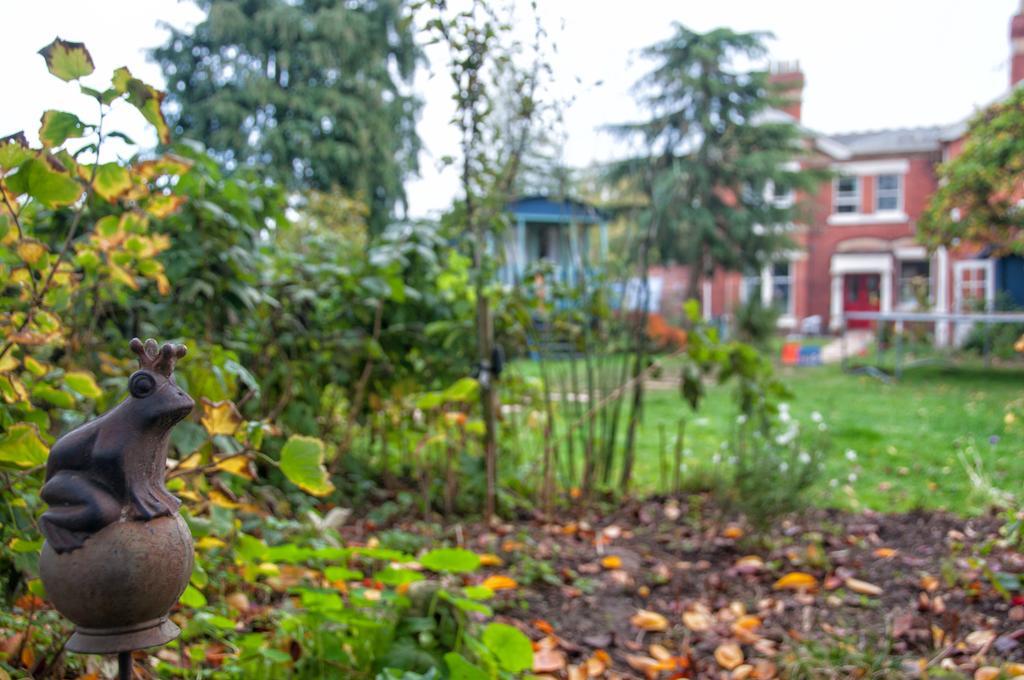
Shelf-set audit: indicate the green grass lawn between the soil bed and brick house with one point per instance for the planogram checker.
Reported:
(895, 447)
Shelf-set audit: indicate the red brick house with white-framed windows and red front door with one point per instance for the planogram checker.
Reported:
(858, 249)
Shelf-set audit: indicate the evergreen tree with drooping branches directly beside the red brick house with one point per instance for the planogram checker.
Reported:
(714, 156)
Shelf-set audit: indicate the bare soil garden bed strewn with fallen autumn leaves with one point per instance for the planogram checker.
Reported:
(829, 596)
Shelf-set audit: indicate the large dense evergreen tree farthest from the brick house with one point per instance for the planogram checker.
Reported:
(313, 92)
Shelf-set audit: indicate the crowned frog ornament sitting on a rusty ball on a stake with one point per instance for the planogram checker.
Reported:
(118, 555)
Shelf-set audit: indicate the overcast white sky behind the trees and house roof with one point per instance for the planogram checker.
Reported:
(869, 65)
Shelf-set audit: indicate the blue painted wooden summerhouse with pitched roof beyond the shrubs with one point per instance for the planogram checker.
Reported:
(557, 231)
